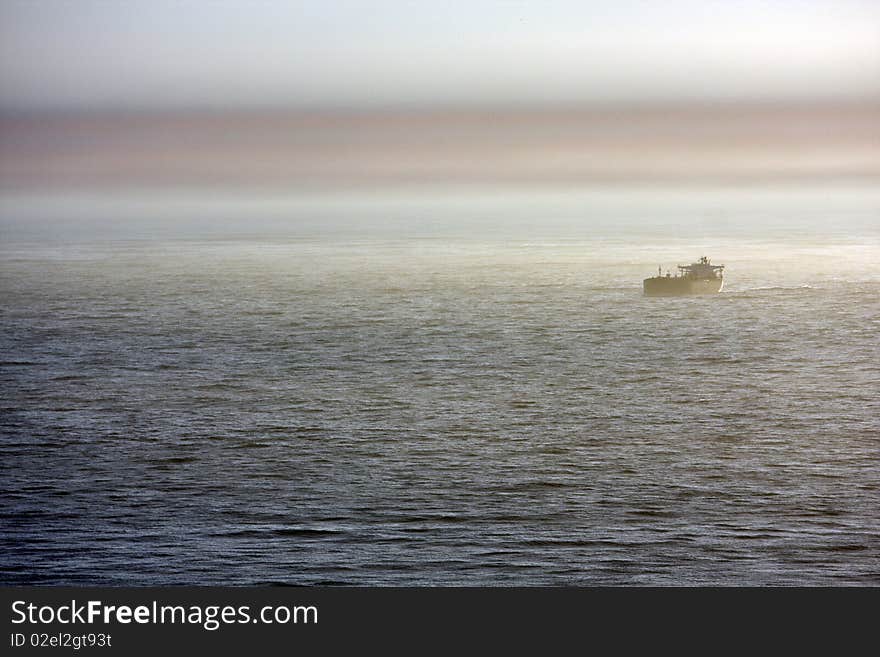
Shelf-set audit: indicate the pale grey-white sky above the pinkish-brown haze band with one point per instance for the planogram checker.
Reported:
(148, 53)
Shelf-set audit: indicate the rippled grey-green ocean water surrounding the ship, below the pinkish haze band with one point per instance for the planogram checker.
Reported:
(459, 392)
